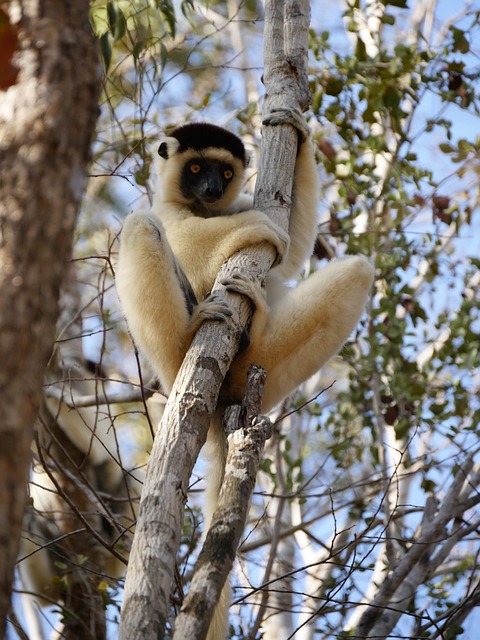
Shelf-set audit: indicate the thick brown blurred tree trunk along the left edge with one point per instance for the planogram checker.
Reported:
(46, 124)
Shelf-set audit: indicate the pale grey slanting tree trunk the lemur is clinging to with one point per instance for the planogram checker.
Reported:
(194, 395)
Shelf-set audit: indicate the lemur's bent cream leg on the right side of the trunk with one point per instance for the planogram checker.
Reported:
(306, 326)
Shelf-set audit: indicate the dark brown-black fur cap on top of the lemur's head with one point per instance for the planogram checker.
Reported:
(199, 135)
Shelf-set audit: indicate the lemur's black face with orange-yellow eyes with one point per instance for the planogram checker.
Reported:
(205, 180)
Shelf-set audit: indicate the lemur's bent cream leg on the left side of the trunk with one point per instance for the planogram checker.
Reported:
(158, 301)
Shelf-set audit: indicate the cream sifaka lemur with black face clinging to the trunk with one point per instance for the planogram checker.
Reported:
(169, 259)
